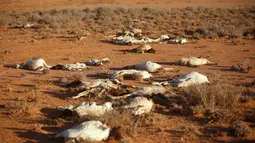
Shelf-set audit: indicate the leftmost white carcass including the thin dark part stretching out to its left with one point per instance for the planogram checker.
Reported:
(33, 64)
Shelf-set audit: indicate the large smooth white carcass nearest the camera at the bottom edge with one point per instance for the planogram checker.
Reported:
(87, 131)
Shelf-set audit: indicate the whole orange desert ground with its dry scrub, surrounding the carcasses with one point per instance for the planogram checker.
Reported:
(222, 31)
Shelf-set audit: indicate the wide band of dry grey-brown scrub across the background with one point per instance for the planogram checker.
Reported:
(193, 22)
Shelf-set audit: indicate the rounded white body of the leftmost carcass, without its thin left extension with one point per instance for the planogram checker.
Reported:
(35, 64)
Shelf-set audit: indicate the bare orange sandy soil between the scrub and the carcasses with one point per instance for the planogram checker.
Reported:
(43, 95)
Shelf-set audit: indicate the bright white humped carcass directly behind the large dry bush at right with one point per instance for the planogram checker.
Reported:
(186, 80)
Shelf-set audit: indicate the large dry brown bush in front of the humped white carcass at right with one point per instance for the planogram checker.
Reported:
(218, 102)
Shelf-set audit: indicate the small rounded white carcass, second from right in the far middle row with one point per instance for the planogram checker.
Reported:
(148, 66)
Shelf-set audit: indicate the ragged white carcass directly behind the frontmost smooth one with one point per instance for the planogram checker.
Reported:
(89, 109)
